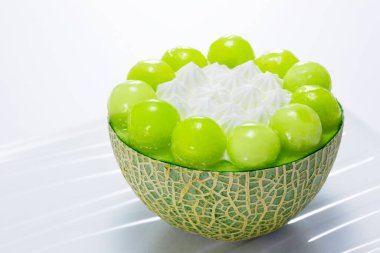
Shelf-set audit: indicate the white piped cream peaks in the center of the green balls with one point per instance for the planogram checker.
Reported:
(231, 97)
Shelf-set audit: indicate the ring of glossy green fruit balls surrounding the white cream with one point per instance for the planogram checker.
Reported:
(154, 127)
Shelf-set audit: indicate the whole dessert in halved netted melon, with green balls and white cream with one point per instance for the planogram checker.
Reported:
(229, 147)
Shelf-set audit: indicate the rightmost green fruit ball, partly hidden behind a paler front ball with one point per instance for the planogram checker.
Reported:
(322, 102)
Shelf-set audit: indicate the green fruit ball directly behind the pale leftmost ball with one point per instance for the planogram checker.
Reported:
(152, 72)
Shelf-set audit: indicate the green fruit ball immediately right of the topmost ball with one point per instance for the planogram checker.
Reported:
(276, 61)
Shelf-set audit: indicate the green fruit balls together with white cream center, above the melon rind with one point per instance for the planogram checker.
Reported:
(227, 112)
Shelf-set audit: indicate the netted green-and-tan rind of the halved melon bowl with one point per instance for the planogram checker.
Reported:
(229, 206)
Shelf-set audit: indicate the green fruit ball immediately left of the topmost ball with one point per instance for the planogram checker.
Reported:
(180, 56)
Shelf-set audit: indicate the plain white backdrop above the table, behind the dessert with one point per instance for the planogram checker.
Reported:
(60, 59)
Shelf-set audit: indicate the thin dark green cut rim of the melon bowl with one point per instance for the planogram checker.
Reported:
(339, 129)
